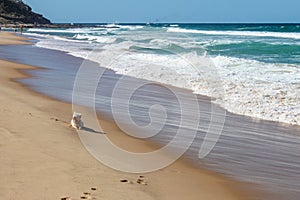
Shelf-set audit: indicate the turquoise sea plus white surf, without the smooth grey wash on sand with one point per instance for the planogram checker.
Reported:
(256, 65)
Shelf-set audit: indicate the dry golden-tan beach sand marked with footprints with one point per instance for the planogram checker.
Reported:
(43, 158)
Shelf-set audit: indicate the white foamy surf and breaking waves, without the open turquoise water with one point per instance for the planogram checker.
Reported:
(258, 89)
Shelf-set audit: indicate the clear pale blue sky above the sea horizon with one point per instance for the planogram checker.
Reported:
(201, 11)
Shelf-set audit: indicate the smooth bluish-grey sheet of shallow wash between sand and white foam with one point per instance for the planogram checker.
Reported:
(260, 152)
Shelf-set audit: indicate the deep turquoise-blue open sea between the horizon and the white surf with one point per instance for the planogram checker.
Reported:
(269, 43)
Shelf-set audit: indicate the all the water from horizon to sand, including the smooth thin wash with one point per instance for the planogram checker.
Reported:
(254, 76)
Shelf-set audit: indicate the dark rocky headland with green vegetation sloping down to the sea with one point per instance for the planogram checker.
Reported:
(14, 12)
